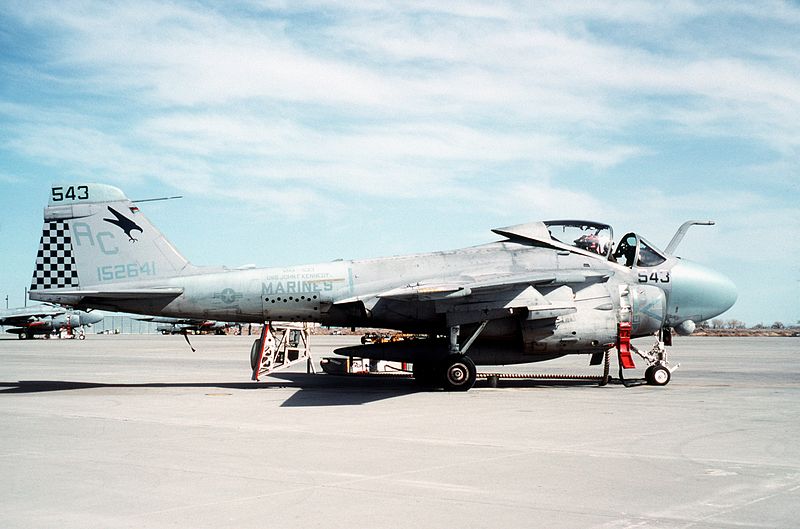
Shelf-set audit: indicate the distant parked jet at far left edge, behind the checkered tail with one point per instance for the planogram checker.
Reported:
(45, 319)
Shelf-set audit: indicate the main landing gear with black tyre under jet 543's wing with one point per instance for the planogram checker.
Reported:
(454, 372)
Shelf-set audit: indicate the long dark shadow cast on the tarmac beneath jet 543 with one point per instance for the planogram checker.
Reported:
(314, 390)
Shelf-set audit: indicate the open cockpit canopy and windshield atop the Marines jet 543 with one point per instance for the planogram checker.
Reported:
(593, 237)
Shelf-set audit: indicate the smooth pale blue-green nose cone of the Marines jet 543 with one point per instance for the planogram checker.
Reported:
(698, 293)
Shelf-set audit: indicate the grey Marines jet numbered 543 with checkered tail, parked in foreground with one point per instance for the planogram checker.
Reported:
(544, 290)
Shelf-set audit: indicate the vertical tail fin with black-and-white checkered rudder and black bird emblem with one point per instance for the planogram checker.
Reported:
(94, 235)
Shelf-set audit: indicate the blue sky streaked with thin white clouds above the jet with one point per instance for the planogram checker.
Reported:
(308, 131)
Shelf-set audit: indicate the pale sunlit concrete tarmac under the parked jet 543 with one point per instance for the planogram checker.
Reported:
(137, 431)
